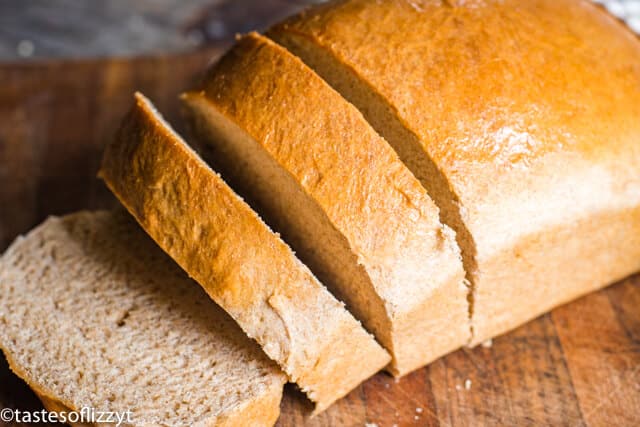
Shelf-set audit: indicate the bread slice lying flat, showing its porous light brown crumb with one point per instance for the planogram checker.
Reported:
(93, 314)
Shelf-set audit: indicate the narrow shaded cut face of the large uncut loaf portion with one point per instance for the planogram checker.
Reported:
(381, 116)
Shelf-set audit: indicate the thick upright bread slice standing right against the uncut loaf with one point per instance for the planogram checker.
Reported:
(340, 195)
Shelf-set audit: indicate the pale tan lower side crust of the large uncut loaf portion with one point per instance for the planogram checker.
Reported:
(602, 249)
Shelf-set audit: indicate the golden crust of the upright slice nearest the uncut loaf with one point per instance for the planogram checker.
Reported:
(367, 194)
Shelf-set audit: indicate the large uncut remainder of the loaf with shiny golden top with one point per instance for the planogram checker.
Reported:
(521, 120)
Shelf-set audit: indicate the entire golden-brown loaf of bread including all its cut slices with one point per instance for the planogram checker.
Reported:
(450, 169)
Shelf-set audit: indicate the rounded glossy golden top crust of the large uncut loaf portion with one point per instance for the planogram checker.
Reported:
(508, 97)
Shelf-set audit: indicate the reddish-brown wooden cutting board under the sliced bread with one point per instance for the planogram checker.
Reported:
(579, 365)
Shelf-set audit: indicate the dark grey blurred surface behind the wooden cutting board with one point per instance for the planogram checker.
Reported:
(38, 29)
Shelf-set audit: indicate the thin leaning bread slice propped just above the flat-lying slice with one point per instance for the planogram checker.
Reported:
(223, 244)
